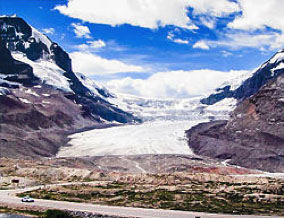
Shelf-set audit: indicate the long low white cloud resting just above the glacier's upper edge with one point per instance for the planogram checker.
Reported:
(173, 84)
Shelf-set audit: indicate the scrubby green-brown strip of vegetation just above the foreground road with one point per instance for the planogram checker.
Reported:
(215, 197)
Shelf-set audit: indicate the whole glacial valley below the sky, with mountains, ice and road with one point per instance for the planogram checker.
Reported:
(65, 138)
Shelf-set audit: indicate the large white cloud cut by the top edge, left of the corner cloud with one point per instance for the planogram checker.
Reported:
(143, 13)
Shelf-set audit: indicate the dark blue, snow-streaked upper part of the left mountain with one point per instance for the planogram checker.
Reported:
(33, 59)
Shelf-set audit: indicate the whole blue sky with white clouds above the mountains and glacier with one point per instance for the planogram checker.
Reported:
(159, 48)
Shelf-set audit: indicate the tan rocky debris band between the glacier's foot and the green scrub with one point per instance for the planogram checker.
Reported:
(110, 168)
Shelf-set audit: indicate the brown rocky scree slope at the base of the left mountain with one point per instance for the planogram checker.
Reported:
(35, 124)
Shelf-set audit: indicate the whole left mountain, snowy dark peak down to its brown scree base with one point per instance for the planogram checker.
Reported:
(41, 98)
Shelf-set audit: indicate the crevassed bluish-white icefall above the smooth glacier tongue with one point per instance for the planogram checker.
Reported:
(151, 109)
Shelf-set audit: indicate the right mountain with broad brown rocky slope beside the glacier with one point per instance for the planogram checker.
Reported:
(253, 137)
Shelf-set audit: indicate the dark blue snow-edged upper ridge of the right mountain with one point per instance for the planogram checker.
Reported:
(269, 70)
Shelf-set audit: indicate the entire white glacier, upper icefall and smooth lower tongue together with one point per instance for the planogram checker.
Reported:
(163, 130)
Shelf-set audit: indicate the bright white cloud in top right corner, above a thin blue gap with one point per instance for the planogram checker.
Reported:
(257, 14)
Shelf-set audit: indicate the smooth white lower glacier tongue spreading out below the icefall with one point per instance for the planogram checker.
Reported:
(155, 137)
